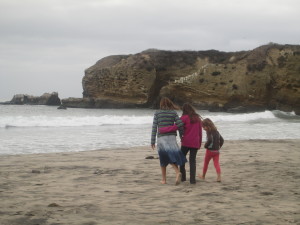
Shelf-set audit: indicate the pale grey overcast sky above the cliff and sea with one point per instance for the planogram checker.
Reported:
(45, 45)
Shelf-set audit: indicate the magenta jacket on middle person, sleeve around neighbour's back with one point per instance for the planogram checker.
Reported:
(192, 136)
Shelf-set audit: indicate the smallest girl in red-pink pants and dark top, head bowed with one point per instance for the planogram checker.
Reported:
(213, 144)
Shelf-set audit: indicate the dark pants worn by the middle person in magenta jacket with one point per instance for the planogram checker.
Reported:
(192, 161)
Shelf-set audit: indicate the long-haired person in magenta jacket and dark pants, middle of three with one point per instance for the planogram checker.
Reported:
(191, 140)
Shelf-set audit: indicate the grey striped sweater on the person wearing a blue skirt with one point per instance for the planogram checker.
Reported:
(164, 118)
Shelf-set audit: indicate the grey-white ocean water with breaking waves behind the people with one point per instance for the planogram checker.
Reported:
(45, 129)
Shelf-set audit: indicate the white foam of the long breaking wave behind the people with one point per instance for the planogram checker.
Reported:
(77, 121)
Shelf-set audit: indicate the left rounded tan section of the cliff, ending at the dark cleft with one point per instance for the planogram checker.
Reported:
(121, 80)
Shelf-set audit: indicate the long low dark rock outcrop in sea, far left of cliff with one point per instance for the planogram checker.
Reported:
(45, 99)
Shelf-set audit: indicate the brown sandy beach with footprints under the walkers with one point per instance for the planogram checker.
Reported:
(260, 185)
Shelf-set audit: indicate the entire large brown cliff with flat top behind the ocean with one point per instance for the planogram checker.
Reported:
(267, 77)
